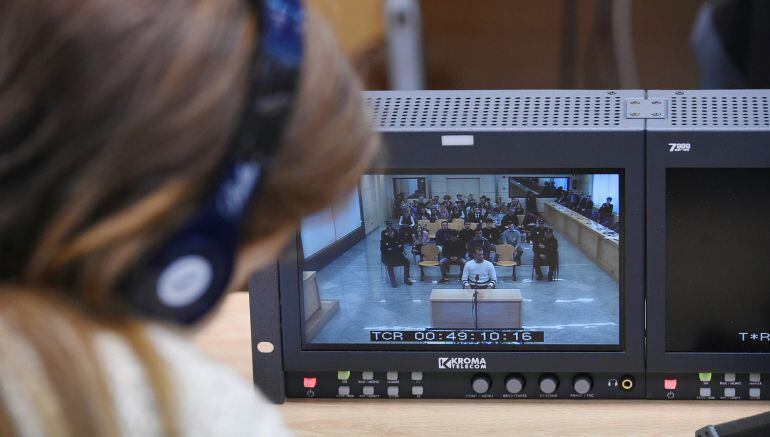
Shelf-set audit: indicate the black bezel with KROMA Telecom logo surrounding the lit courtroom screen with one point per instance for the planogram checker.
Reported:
(526, 152)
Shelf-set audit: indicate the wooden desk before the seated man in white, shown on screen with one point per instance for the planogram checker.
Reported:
(453, 309)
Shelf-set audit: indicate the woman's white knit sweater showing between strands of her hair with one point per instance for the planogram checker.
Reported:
(210, 399)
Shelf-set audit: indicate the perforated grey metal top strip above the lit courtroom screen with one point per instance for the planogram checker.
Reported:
(497, 110)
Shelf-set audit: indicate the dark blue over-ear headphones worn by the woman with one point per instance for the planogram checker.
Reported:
(187, 275)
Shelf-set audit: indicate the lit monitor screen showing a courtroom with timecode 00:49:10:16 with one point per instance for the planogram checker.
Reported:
(475, 261)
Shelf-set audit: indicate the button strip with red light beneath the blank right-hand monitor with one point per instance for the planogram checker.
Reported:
(708, 386)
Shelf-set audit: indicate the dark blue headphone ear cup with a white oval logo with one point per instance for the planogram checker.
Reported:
(187, 279)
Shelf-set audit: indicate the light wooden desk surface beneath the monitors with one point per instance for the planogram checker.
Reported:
(226, 337)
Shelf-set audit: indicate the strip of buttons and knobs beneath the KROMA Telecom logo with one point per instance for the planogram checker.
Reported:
(470, 385)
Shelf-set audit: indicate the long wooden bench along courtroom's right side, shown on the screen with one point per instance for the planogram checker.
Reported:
(599, 243)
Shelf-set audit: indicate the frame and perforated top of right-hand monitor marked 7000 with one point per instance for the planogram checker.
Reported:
(724, 143)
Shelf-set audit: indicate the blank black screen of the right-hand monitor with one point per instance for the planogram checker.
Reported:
(718, 260)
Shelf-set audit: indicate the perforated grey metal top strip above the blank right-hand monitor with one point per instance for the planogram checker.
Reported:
(715, 109)
